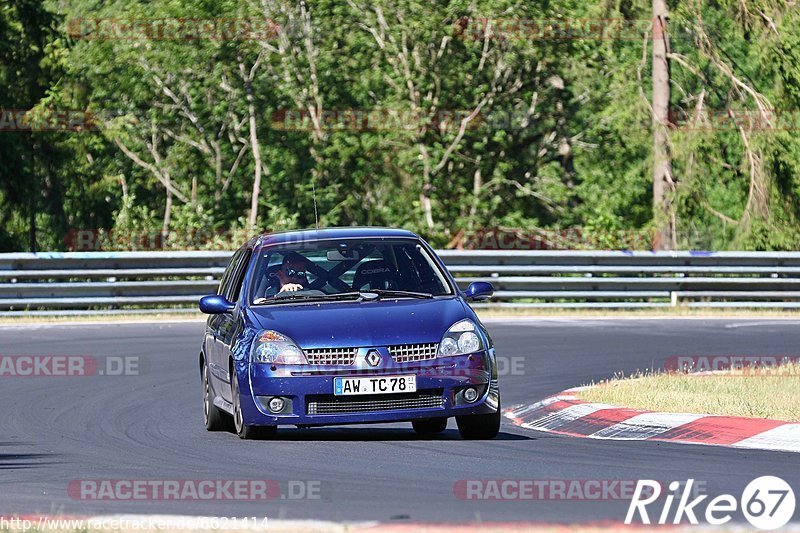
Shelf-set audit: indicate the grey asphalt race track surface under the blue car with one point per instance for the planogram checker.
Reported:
(149, 427)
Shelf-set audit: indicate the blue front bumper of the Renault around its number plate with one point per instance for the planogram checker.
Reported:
(307, 391)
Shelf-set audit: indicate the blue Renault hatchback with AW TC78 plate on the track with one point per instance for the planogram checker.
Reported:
(346, 326)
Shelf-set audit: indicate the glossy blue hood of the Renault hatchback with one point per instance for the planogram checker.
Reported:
(377, 323)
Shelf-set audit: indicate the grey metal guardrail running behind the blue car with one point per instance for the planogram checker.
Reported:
(146, 281)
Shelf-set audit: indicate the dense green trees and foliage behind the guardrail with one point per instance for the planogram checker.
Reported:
(560, 135)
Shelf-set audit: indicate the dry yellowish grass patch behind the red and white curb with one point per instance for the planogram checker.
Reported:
(774, 395)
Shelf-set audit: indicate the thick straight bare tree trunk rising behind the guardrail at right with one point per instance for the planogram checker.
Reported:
(663, 214)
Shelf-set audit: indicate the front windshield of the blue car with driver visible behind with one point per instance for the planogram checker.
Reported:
(347, 269)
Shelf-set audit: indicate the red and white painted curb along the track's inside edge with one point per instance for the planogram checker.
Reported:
(565, 414)
